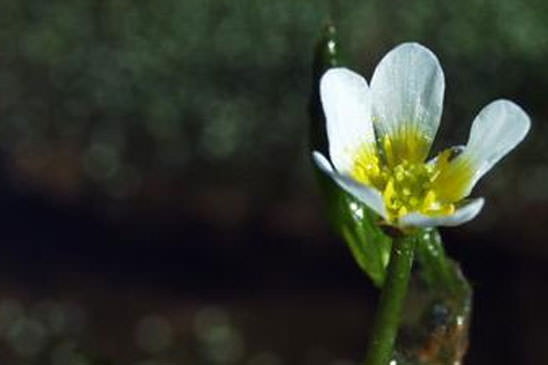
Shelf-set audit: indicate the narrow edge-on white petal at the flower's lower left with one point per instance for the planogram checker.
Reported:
(369, 196)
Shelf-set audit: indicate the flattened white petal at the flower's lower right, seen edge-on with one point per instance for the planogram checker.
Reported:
(463, 214)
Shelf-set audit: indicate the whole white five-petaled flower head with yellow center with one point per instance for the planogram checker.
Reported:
(380, 137)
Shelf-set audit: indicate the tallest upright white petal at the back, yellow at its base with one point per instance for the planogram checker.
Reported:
(407, 91)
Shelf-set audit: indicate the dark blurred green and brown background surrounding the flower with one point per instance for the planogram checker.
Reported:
(158, 202)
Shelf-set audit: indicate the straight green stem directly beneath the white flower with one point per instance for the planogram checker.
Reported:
(387, 319)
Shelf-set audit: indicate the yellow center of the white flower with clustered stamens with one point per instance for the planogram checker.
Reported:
(406, 186)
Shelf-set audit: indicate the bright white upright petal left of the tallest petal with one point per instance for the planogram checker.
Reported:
(346, 103)
